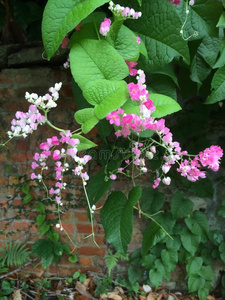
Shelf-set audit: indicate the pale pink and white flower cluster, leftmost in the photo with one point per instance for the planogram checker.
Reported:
(26, 123)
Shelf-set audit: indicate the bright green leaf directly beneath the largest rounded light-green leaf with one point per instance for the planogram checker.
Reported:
(106, 96)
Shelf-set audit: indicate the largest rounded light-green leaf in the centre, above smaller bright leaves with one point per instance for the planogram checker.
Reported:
(92, 60)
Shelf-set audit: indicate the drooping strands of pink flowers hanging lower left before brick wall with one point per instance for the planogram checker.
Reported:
(67, 149)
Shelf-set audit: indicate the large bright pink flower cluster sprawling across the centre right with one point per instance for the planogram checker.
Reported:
(129, 123)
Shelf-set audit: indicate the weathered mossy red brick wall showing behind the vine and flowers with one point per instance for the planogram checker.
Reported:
(23, 69)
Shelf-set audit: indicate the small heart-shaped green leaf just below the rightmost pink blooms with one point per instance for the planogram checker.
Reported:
(181, 207)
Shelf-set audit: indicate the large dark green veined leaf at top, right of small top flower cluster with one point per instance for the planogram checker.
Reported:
(159, 27)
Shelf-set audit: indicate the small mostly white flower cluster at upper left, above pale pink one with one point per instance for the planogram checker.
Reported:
(47, 101)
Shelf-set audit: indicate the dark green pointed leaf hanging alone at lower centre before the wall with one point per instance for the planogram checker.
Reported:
(117, 220)
